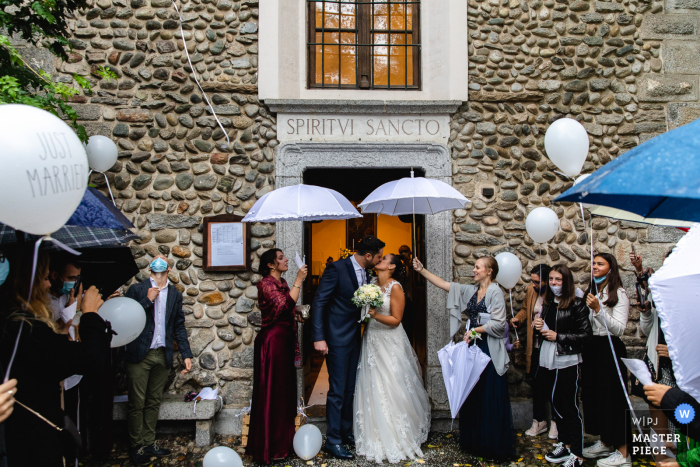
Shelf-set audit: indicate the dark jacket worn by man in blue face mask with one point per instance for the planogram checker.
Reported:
(174, 325)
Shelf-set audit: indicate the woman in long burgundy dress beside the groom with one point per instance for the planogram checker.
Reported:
(276, 352)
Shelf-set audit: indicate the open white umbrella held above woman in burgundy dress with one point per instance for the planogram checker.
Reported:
(301, 203)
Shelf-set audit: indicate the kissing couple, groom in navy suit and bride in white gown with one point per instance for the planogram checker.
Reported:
(376, 399)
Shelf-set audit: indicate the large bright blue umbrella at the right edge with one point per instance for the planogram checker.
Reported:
(660, 178)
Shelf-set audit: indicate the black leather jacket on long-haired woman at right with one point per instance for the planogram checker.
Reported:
(573, 327)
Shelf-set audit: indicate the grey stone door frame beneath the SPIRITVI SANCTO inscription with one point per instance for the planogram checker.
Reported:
(294, 157)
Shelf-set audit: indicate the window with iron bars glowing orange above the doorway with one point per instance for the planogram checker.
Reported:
(364, 44)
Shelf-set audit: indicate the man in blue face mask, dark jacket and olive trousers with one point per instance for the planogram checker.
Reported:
(150, 357)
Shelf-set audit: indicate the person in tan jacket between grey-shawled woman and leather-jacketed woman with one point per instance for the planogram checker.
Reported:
(532, 309)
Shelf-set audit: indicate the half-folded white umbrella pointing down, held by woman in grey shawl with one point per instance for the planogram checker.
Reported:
(461, 369)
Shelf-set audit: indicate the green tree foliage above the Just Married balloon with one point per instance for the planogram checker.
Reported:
(42, 23)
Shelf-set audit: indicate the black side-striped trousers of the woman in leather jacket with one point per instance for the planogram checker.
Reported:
(565, 406)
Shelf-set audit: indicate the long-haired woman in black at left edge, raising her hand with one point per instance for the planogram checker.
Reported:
(43, 357)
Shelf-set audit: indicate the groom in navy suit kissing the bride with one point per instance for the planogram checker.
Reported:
(336, 333)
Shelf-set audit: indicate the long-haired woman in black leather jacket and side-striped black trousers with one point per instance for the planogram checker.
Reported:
(564, 327)
